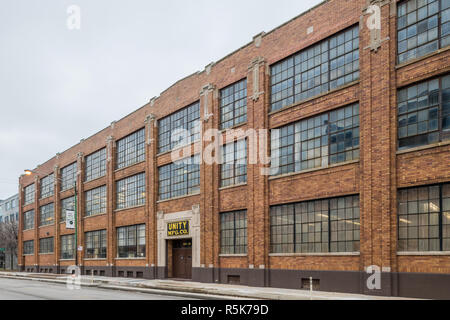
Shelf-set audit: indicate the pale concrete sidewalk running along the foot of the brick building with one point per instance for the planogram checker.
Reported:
(194, 289)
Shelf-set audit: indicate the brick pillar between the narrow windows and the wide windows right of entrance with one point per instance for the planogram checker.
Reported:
(257, 183)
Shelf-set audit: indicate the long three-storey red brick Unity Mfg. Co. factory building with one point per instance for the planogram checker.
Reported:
(363, 151)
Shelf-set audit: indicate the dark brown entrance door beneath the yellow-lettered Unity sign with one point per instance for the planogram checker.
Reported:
(182, 259)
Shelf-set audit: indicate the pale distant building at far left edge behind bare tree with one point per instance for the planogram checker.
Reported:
(9, 213)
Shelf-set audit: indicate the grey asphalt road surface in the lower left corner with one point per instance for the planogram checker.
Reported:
(12, 289)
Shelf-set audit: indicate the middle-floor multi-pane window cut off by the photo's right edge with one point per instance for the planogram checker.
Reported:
(424, 113)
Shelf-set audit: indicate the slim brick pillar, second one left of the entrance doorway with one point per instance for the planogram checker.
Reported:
(110, 165)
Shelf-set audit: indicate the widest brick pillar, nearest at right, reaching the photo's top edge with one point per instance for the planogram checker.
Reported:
(377, 156)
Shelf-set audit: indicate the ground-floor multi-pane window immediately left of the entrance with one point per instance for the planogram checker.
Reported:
(131, 242)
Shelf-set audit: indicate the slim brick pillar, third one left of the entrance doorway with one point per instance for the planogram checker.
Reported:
(80, 209)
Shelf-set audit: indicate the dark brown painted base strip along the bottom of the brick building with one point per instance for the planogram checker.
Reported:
(408, 285)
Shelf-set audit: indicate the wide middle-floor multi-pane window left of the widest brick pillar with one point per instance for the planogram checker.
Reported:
(317, 142)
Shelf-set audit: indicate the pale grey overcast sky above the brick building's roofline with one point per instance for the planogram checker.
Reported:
(58, 86)
